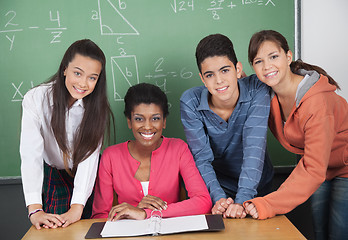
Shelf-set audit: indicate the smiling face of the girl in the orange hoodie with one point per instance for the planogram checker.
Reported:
(271, 64)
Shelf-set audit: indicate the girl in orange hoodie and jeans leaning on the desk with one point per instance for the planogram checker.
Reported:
(308, 118)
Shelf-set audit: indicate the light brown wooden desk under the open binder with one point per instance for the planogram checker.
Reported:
(275, 228)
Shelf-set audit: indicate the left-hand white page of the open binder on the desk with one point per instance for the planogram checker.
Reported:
(126, 227)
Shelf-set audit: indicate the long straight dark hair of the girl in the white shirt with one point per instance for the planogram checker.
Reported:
(97, 116)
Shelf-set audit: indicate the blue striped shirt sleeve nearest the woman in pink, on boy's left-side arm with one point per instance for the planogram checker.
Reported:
(198, 141)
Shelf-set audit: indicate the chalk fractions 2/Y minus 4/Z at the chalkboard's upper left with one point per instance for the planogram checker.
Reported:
(11, 27)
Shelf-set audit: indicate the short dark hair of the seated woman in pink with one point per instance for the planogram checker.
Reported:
(145, 93)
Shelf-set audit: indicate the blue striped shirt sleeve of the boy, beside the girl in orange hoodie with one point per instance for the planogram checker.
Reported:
(254, 141)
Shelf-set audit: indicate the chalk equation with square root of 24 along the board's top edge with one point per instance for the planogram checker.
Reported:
(216, 6)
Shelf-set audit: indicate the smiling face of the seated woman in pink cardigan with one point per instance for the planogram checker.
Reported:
(147, 123)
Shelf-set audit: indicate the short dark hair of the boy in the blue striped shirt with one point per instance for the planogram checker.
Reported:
(215, 45)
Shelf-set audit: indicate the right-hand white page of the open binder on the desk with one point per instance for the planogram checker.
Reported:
(183, 224)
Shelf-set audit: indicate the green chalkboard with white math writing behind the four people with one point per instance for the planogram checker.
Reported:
(144, 41)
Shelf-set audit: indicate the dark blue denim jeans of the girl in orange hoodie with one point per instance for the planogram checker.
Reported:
(330, 210)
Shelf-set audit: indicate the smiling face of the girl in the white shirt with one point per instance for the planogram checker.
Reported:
(81, 76)
